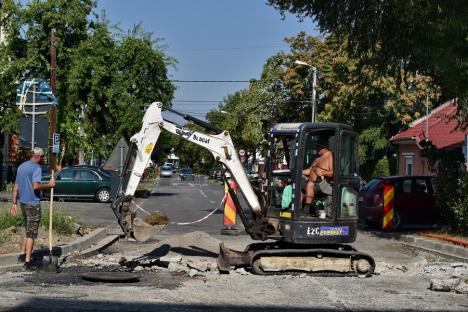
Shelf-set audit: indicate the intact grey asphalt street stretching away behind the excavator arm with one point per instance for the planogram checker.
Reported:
(183, 202)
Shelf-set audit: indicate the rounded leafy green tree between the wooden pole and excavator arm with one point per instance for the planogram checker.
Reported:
(111, 83)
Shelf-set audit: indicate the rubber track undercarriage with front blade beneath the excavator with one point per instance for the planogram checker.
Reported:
(271, 259)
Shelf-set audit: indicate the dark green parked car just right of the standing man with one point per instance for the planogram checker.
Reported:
(81, 182)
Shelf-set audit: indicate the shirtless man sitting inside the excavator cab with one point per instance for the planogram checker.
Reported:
(321, 169)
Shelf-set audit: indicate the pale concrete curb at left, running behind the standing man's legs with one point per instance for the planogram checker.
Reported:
(9, 262)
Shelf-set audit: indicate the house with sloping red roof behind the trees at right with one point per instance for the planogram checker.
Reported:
(439, 127)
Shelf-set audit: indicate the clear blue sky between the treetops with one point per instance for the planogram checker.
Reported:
(211, 39)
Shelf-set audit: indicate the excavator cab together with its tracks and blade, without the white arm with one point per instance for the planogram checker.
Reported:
(308, 237)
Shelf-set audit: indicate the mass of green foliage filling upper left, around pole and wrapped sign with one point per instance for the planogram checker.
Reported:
(105, 79)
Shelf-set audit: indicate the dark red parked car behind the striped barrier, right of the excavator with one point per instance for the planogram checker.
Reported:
(414, 201)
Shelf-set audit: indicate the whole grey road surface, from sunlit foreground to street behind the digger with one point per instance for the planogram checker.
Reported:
(401, 284)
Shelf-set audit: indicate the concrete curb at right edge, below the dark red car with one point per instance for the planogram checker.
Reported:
(443, 249)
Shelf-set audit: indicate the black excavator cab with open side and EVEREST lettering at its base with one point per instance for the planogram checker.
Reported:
(332, 215)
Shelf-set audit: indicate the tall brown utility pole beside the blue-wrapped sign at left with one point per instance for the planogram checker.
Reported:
(53, 109)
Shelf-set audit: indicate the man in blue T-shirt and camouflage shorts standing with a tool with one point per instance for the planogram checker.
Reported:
(27, 192)
